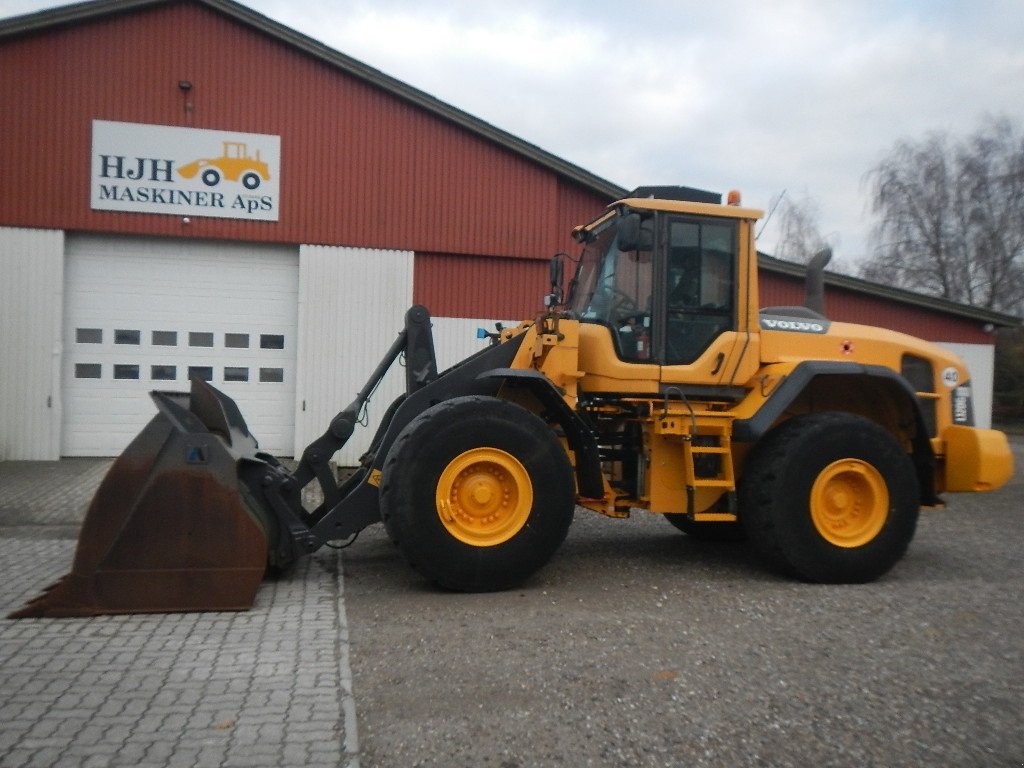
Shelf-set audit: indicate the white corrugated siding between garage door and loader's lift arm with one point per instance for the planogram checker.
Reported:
(345, 333)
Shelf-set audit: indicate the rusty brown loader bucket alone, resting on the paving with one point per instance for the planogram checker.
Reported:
(172, 528)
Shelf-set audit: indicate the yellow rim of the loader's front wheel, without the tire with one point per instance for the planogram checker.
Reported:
(485, 497)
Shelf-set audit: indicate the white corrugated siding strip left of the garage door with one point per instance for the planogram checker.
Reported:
(32, 266)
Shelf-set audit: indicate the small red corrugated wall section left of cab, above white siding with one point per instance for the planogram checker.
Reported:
(479, 287)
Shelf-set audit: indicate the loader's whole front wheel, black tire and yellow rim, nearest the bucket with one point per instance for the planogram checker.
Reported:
(478, 494)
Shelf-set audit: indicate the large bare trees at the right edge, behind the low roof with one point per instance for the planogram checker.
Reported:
(951, 218)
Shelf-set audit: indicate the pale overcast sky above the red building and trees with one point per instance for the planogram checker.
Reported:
(804, 97)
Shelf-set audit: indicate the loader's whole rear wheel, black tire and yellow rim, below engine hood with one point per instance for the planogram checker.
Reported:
(830, 498)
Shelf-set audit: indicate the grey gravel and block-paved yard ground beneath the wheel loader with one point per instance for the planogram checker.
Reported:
(636, 647)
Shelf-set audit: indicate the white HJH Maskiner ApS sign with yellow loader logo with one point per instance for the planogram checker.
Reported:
(185, 172)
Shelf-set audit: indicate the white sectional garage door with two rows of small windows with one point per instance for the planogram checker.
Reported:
(148, 314)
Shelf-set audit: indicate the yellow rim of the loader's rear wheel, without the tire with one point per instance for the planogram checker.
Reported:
(849, 503)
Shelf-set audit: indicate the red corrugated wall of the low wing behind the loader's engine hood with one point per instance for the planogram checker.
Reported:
(778, 290)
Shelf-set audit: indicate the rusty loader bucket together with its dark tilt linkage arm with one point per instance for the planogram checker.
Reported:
(192, 514)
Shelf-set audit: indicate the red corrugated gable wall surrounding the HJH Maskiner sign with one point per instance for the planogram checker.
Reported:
(359, 166)
